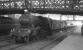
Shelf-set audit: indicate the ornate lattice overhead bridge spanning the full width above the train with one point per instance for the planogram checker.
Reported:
(74, 7)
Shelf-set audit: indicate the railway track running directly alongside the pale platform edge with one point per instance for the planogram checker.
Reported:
(56, 41)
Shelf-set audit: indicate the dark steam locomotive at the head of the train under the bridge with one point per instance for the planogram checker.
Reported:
(31, 27)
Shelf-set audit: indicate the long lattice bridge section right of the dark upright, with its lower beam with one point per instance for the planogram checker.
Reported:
(56, 6)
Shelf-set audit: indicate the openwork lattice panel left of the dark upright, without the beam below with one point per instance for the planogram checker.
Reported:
(12, 4)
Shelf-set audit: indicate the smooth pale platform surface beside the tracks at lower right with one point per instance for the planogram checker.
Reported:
(72, 42)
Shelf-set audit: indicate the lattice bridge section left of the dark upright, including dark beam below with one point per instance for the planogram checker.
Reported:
(12, 6)
